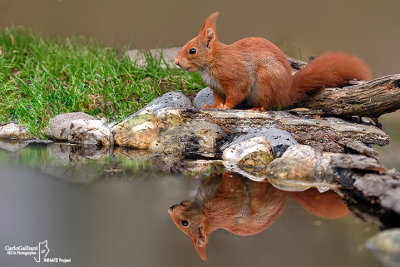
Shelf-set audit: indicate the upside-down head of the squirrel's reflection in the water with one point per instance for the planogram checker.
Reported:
(192, 222)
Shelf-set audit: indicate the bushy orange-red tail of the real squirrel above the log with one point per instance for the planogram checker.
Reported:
(331, 69)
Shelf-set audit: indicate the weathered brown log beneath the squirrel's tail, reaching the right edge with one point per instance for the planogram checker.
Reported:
(370, 99)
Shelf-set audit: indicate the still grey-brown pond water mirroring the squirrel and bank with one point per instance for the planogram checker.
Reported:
(106, 209)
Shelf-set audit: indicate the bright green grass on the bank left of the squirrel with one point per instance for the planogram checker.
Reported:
(42, 77)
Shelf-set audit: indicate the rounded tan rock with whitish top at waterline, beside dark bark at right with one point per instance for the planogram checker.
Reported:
(300, 168)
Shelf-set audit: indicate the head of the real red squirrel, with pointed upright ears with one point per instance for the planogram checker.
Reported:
(198, 53)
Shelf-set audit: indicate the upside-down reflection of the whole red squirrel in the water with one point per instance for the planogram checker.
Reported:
(234, 203)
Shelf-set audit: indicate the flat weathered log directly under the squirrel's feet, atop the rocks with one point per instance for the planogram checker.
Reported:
(327, 134)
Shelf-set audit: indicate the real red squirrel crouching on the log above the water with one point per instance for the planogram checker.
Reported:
(255, 73)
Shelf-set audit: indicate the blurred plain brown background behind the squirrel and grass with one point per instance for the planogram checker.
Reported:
(369, 29)
